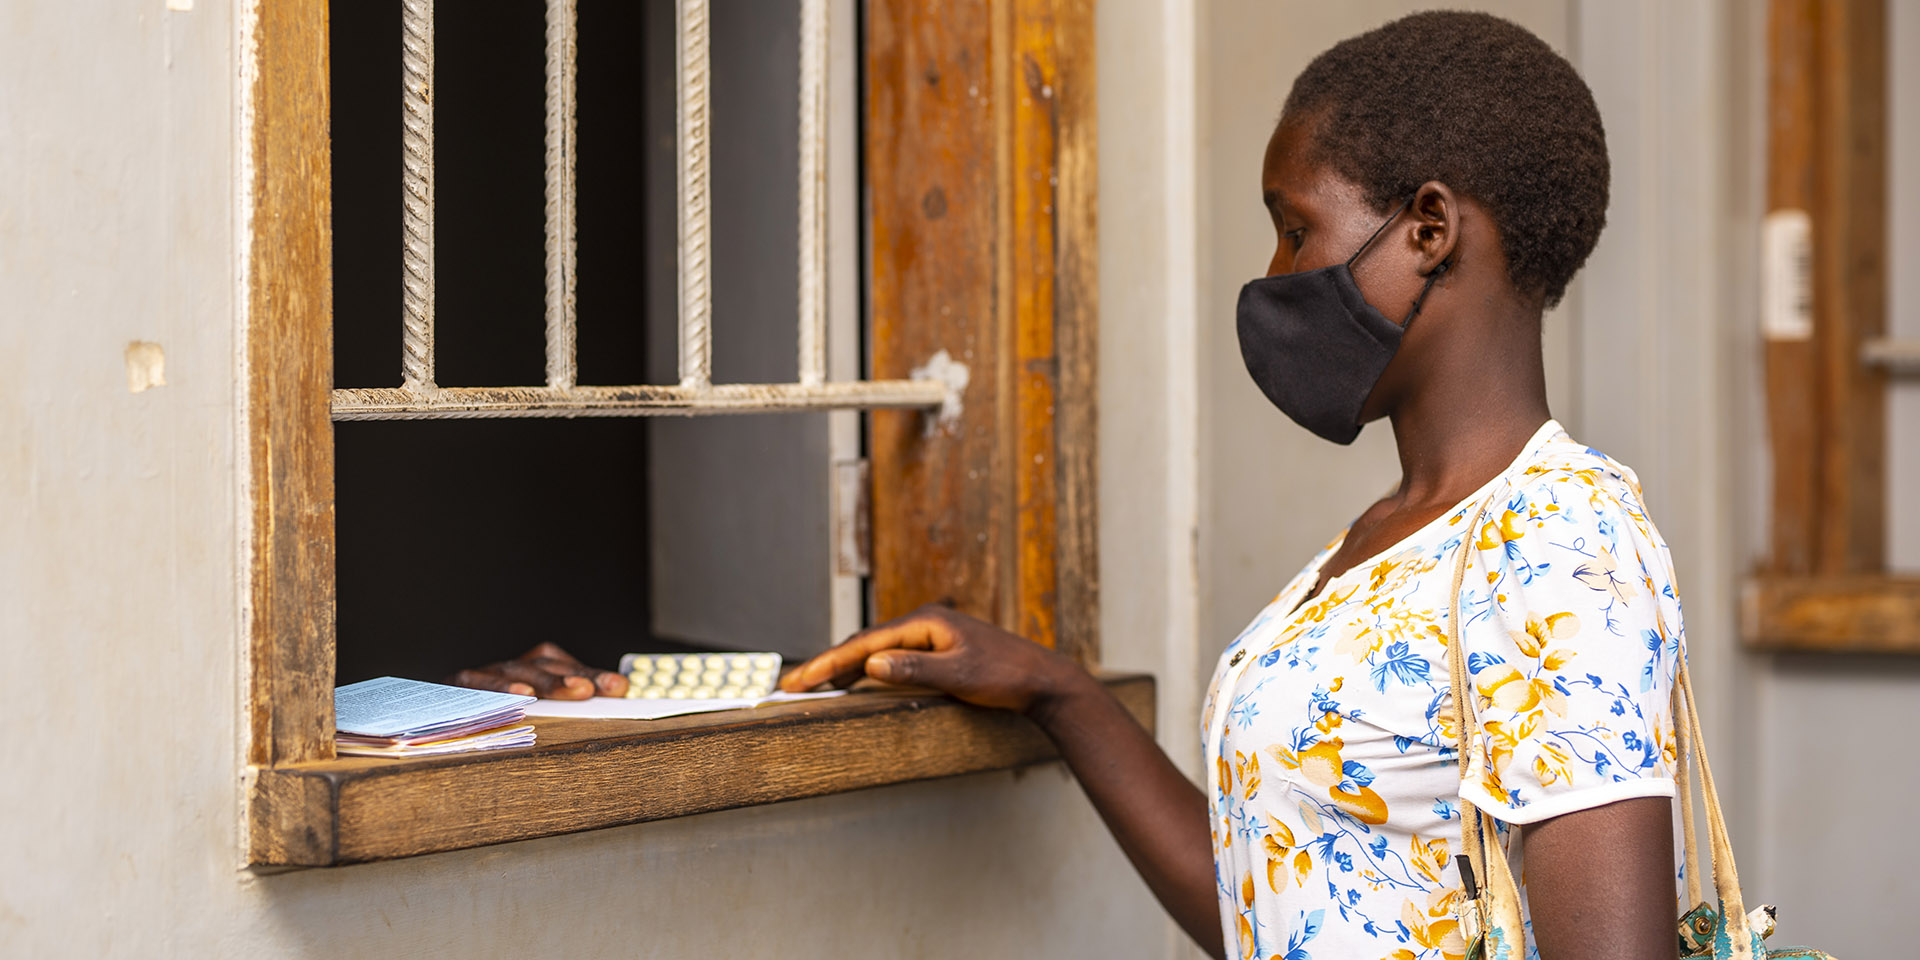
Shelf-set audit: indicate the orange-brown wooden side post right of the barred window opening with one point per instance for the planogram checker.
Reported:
(982, 181)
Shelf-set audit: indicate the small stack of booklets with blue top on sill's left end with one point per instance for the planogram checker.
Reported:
(393, 717)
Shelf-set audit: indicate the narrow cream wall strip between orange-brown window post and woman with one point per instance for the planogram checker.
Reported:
(1149, 393)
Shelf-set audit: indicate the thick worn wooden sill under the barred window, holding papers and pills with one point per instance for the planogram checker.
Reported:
(587, 775)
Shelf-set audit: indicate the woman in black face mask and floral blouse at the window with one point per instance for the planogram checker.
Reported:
(1433, 189)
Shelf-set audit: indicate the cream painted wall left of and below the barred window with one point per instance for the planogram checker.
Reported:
(118, 590)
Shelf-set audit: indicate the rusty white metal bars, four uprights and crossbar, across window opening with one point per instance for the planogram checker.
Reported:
(696, 393)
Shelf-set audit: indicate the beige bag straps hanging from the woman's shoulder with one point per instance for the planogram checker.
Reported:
(1500, 896)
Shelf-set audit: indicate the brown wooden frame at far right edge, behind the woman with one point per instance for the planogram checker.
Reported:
(1827, 585)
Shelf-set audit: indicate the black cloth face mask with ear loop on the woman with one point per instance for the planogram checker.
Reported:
(1316, 347)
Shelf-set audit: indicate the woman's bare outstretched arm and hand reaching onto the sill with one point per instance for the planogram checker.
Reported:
(1157, 815)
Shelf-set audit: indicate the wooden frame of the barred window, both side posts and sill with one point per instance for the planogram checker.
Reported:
(982, 220)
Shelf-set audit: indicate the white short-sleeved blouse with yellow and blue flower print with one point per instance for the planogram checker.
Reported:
(1332, 734)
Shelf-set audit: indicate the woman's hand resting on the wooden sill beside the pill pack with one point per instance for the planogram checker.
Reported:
(949, 652)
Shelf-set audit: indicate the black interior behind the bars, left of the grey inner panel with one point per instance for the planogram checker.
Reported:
(464, 542)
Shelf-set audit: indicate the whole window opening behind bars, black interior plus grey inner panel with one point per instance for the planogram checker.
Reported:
(464, 542)
